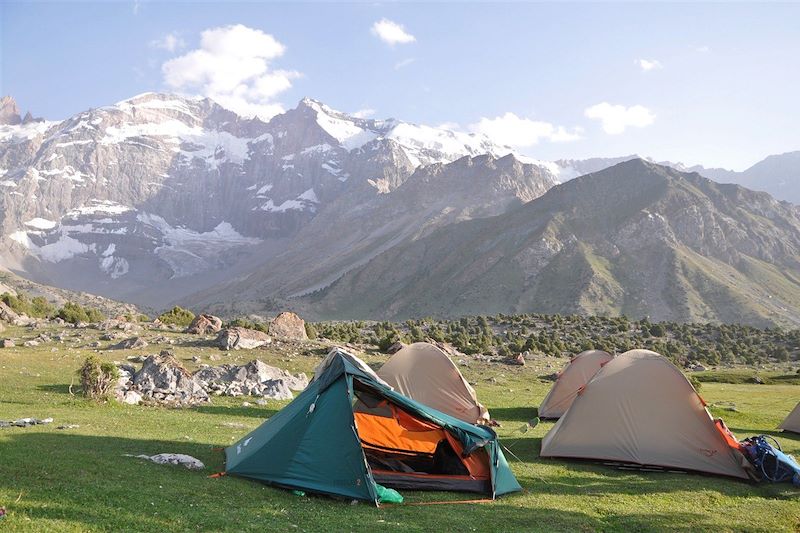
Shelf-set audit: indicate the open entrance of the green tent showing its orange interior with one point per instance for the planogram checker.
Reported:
(406, 452)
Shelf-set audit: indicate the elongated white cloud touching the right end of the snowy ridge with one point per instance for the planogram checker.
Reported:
(517, 132)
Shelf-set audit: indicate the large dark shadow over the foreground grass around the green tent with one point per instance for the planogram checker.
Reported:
(90, 483)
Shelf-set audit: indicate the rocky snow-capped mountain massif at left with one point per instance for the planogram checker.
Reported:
(177, 191)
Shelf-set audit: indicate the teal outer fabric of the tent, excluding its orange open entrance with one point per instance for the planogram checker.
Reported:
(312, 444)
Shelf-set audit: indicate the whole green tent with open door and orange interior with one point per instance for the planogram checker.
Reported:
(348, 431)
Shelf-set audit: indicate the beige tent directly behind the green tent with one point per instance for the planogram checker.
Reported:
(424, 373)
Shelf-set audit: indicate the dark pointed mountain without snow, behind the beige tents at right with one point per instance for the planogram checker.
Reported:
(636, 238)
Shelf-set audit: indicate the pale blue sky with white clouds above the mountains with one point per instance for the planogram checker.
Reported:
(715, 84)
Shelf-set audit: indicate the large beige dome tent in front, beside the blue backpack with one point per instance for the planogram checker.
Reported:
(639, 408)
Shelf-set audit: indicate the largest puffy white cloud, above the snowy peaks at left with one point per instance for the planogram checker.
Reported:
(232, 67)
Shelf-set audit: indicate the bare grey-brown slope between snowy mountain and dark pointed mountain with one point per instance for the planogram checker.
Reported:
(356, 228)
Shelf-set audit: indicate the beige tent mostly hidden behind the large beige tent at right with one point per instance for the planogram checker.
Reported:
(575, 375)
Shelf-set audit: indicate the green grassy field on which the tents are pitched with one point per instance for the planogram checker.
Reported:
(80, 480)
